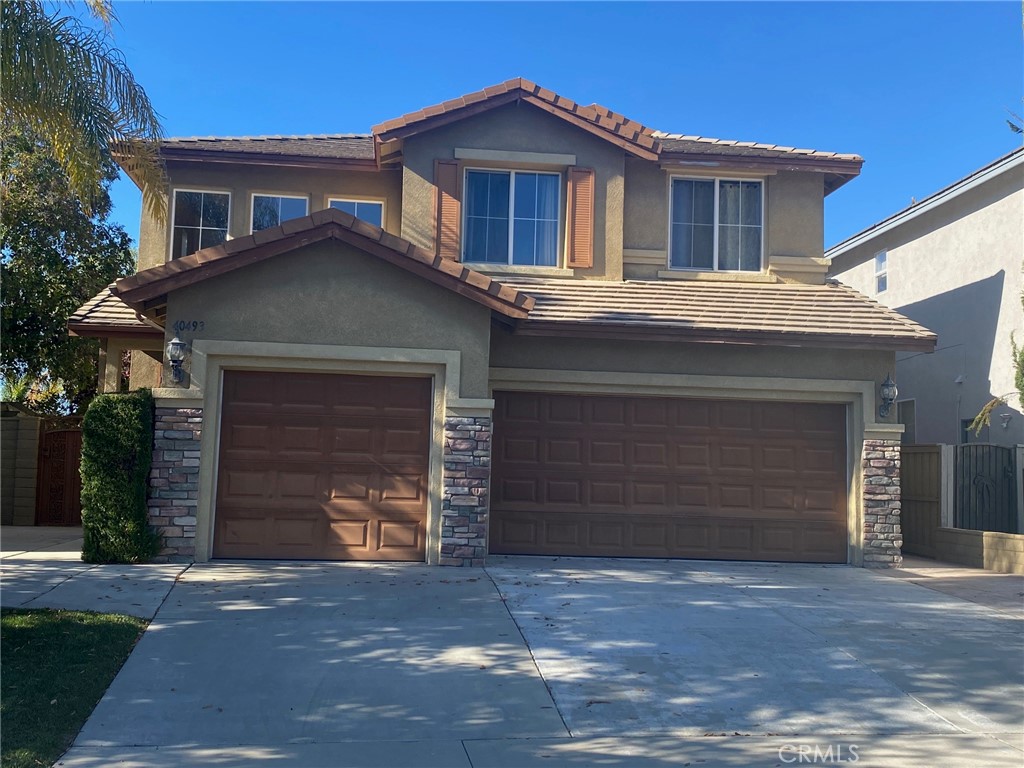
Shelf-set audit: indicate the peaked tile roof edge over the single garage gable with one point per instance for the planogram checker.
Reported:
(151, 286)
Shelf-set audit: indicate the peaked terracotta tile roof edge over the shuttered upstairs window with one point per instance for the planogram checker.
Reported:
(633, 136)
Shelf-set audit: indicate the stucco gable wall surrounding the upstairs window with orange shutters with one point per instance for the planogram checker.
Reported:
(526, 130)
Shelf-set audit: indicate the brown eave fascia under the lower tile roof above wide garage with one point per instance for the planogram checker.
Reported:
(724, 336)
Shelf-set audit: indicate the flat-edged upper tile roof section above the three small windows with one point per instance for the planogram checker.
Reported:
(339, 146)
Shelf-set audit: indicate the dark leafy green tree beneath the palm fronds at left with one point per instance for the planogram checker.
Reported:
(55, 257)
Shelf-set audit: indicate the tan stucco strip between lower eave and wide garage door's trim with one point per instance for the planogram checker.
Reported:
(508, 351)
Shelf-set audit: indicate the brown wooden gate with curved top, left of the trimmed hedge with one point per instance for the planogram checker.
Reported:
(60, 484)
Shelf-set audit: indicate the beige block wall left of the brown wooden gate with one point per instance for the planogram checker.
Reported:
(19, 465)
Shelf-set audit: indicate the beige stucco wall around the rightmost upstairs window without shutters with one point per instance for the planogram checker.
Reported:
(794, 214)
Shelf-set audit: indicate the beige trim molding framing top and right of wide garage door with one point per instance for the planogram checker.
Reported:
(859, 396)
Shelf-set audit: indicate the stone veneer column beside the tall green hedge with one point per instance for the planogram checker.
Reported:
(175, 482)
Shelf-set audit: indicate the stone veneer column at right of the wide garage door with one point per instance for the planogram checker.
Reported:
(883, 536)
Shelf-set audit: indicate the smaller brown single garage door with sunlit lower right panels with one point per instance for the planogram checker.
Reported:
(323, 466)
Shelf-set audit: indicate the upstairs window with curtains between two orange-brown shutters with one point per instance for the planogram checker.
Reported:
(511, 218)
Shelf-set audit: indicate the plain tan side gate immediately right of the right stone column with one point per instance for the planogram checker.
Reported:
(921, 482)
